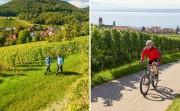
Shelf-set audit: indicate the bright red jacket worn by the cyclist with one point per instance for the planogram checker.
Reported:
(152, 54)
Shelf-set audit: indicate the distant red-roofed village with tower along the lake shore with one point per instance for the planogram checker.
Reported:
(152, 29)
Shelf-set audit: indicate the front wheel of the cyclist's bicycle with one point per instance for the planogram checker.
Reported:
(144, 84)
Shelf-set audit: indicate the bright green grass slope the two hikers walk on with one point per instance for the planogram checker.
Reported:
(32, 90)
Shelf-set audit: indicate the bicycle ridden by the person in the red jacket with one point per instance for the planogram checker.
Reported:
(147, 79)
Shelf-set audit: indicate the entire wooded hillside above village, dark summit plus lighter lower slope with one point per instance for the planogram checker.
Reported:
(50, 12)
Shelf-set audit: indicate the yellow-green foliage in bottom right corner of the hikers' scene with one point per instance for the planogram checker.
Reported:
(78, 96)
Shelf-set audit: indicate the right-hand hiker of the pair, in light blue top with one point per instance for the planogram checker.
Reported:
(59, 63)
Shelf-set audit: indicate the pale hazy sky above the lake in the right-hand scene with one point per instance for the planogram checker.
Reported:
(134, 4)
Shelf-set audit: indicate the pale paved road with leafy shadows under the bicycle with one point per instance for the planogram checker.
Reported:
(124, 95)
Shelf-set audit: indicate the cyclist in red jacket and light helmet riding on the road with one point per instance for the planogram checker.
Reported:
(154, 56)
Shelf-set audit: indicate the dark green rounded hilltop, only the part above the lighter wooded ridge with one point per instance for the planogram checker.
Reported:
(15, 7)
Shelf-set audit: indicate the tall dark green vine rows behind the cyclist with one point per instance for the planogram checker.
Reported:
(112, 48)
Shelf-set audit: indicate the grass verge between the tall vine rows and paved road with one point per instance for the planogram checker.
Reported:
(105, 76)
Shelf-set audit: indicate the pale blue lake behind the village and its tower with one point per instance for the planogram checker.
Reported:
(138, 19)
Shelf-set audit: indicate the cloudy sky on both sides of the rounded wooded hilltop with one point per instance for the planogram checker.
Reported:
(77, 3)
